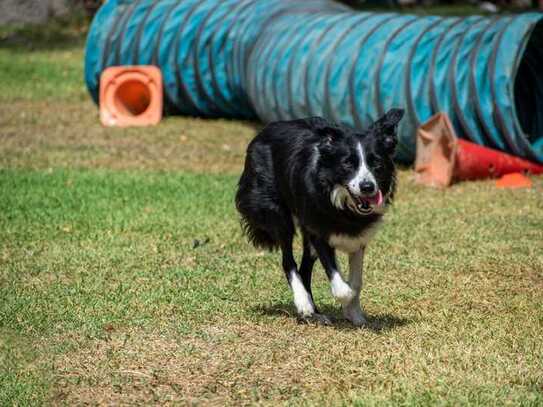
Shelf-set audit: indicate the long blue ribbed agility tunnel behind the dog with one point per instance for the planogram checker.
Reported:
(285, 59)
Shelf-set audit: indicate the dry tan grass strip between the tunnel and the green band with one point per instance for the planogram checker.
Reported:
(42, 135)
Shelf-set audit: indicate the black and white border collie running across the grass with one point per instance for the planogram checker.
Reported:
(331, 182)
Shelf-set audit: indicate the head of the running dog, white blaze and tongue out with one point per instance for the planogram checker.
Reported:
(358, 168)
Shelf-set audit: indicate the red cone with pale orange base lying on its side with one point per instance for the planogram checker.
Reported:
(442, 158)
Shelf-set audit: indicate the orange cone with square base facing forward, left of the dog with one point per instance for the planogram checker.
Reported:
(131, 96)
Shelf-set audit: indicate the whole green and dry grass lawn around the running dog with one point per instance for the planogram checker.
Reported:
(124, 277)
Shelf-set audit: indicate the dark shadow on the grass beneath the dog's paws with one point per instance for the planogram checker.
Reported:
(376, 323)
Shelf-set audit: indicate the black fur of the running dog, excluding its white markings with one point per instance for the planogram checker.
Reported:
(290, 171)
